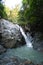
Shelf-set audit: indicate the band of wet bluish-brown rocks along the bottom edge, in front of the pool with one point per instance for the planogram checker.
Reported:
(16, 61)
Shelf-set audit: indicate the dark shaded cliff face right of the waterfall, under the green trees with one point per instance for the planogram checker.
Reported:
(37, 36)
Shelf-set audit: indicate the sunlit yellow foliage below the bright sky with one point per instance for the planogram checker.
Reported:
(12, 15)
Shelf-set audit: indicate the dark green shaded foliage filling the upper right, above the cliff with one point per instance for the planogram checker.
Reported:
(33, 13)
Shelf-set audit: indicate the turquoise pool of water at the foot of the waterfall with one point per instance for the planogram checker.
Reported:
(26, 53)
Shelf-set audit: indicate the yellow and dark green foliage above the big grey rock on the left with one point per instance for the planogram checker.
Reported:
(6, 13)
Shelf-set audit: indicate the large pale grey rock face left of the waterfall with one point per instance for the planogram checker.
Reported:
(10, 34)
